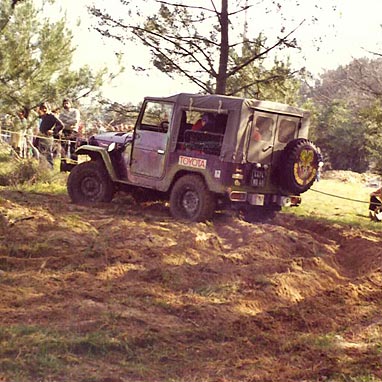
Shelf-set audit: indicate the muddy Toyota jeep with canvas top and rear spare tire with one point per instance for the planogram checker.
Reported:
(252, 155)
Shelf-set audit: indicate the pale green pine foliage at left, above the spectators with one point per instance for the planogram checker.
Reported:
(35, 60)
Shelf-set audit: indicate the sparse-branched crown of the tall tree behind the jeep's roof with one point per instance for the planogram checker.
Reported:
(203, 43)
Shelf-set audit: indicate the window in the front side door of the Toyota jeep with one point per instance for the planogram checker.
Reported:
(156, 117)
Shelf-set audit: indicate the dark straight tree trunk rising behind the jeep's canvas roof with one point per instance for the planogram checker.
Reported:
(221, 80)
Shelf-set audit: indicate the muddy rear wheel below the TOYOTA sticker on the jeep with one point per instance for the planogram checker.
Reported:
(191, 200)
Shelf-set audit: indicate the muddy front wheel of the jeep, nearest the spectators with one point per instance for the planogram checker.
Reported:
(89, 182)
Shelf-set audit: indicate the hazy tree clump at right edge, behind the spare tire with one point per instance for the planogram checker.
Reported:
(348, 100)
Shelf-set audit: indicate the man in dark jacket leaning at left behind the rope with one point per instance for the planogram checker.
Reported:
(50, 126)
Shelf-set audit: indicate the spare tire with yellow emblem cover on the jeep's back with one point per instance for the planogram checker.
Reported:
(298, 165)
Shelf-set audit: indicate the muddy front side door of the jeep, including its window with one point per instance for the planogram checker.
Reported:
(151, 139)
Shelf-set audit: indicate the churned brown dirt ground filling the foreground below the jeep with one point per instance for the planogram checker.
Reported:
(223, 301)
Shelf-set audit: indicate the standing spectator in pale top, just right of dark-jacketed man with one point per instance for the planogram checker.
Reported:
(70, 117)
